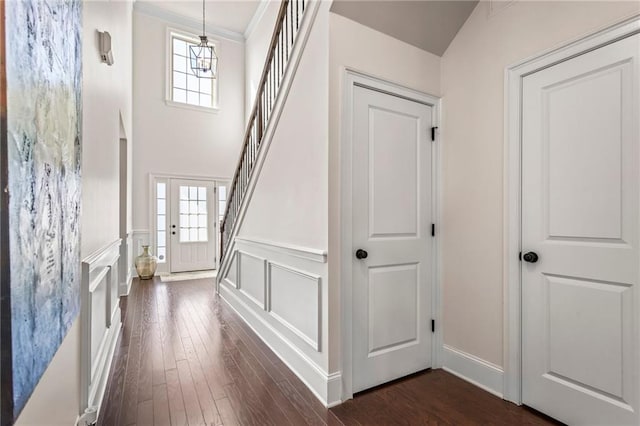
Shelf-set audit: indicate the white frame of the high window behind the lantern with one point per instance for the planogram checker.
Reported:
(192, 38)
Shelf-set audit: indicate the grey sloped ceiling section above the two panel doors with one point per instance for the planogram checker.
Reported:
(427, 24)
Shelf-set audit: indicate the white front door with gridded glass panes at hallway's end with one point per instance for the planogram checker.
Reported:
(192, 227)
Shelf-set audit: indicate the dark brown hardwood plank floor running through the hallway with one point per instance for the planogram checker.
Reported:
(185, 358)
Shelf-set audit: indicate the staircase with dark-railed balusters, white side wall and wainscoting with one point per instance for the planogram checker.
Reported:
(274, 269)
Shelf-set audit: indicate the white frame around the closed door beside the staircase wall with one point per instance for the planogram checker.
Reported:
(351, 79)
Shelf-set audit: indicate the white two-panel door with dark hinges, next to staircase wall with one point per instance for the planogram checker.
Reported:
(392, 223)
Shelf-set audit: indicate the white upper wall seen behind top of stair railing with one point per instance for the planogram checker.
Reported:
(256, 46)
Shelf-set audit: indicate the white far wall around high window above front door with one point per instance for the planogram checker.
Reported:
(178, 140)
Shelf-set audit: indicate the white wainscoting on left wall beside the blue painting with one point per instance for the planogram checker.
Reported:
(100, 322)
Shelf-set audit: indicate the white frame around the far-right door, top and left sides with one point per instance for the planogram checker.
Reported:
(512, 188)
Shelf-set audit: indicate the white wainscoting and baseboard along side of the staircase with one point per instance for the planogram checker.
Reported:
(279, 290)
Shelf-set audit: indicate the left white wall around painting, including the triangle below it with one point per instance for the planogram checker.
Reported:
(106, 94)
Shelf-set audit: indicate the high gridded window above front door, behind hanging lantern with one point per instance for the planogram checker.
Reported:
(184, 87)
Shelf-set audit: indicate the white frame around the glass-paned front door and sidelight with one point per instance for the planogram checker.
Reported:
(165, 268)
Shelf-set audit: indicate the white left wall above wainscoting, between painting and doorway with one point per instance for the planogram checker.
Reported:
(106, 97)
